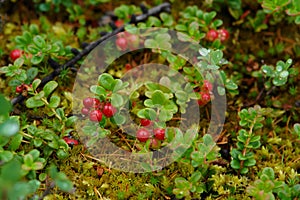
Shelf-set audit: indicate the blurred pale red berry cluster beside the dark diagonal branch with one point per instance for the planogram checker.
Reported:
(126, 41)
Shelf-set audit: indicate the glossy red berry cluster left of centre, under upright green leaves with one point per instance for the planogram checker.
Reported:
(95, 109)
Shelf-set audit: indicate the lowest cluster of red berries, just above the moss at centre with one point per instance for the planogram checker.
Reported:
(143, 134)
